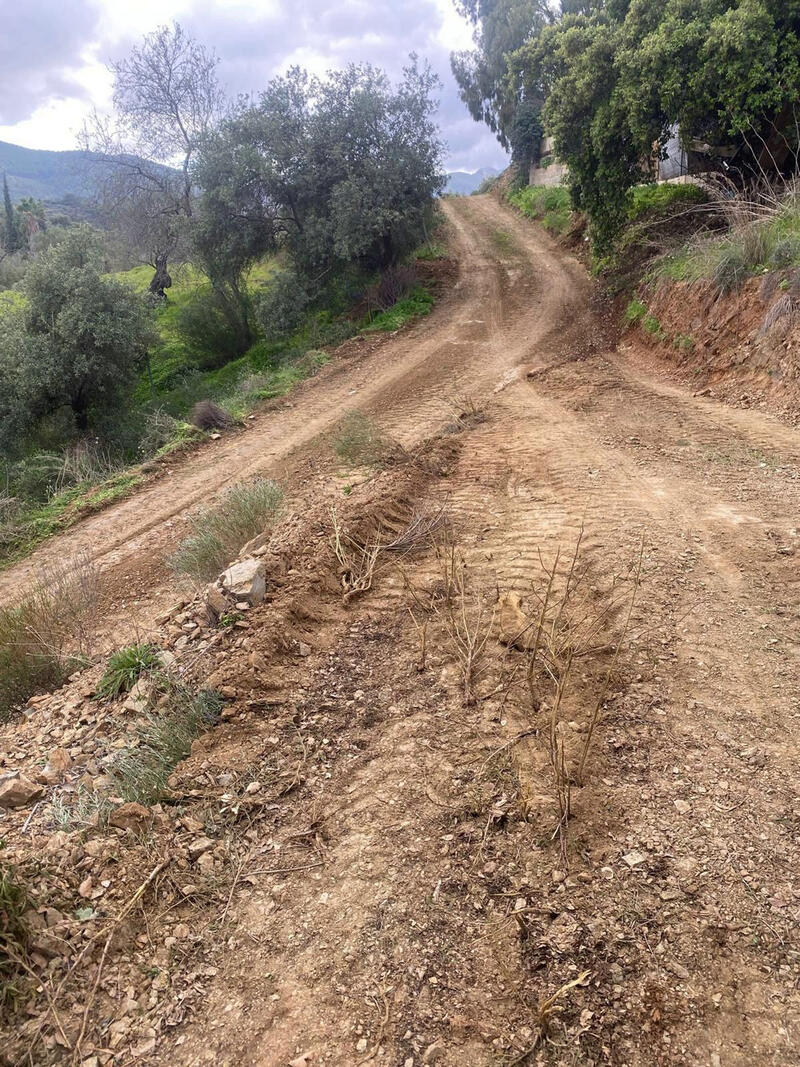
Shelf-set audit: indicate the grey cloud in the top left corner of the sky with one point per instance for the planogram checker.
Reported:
(40, 51)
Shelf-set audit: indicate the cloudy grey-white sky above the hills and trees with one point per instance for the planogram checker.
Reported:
(54, 56)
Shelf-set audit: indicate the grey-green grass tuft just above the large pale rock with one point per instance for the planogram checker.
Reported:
(219, 534)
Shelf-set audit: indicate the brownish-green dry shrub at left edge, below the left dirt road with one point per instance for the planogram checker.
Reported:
(46, 638)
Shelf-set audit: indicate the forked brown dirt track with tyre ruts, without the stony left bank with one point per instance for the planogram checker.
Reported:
(405, 901)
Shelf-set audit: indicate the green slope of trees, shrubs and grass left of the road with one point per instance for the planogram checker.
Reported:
(217, 286)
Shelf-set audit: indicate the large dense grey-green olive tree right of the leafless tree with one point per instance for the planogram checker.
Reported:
(332, 173)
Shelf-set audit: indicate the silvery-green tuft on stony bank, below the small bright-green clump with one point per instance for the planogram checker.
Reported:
(140, 774)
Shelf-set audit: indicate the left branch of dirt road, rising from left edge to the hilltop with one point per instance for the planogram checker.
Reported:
(473, 342)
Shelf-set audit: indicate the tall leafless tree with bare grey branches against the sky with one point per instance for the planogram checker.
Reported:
(167, 97)
